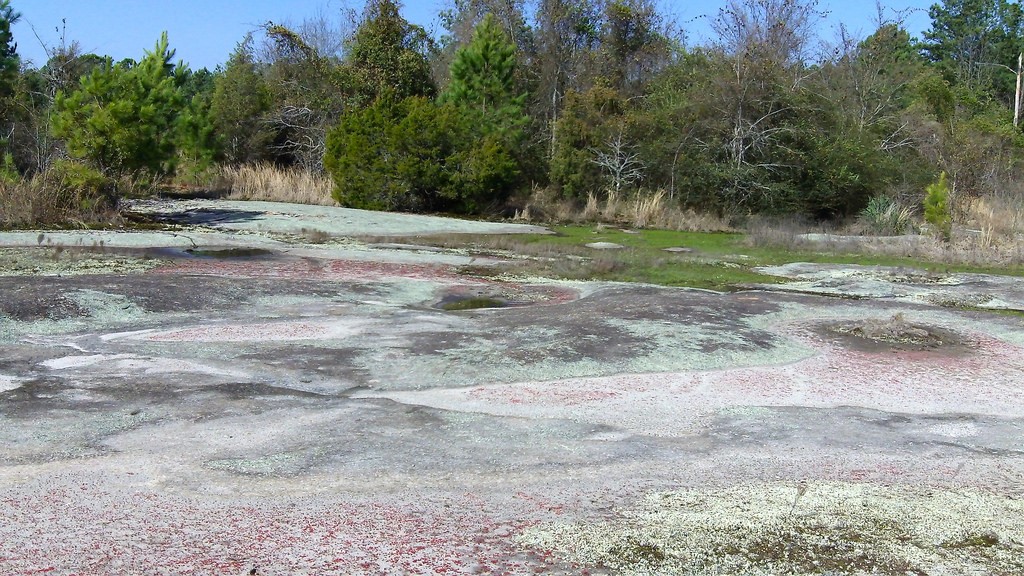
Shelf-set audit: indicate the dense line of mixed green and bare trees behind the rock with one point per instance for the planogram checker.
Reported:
(575, 98)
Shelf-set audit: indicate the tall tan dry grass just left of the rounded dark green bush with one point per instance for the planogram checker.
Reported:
(271, 184)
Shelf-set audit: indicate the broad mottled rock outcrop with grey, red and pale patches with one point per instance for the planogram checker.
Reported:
(311, 409)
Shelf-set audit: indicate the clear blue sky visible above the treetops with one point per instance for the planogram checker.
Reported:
(205, 32)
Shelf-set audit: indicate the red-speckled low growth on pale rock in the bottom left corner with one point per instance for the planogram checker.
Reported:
(88, 530)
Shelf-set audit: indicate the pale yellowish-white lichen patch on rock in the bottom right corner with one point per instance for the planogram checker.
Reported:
(833, 528)
